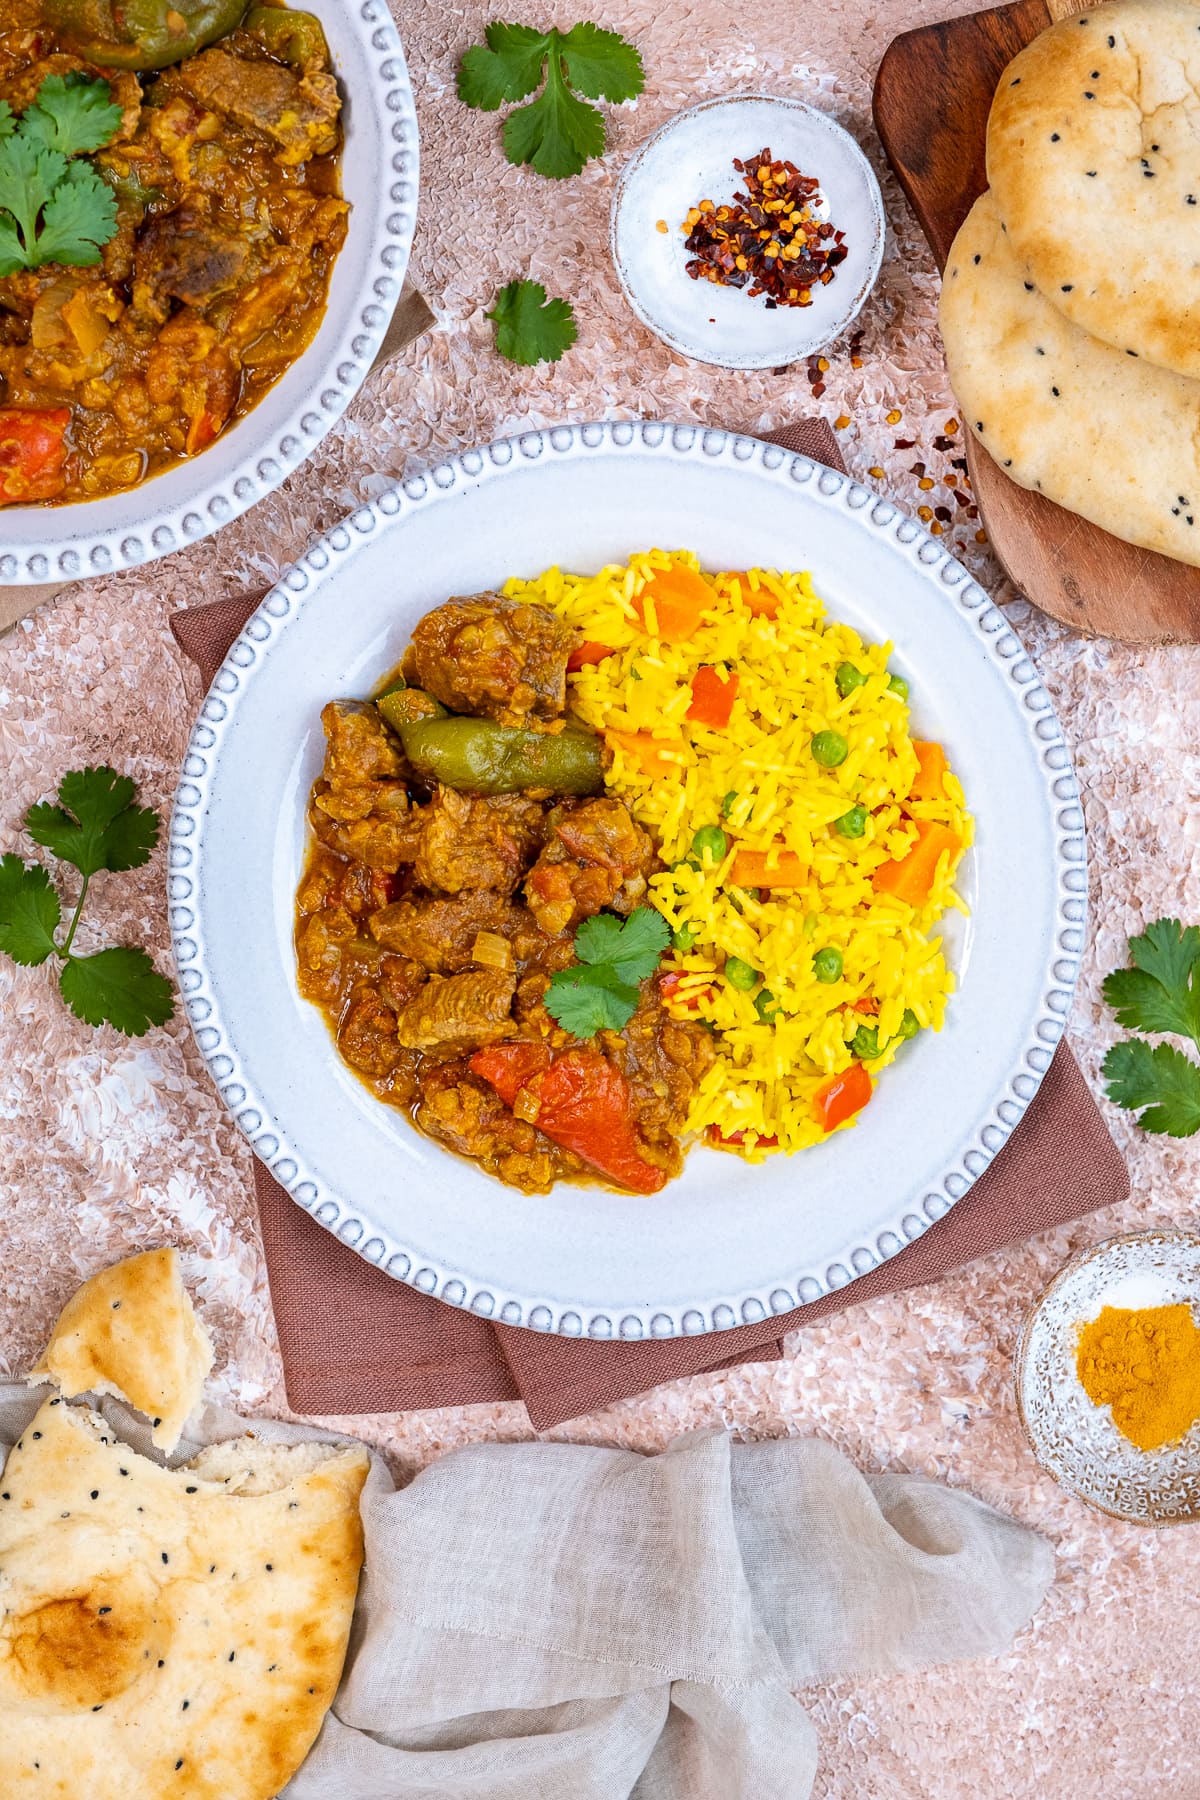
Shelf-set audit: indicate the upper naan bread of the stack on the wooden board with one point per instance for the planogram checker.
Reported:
(1095, 165)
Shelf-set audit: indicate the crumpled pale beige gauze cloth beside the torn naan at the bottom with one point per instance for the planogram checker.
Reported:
(562, 1623)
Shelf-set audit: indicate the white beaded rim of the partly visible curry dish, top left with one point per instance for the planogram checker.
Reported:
(260, 453)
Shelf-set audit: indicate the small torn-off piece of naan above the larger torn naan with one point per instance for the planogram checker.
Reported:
(132, 1333)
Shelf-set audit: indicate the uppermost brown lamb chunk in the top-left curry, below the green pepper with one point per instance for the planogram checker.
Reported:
(296, 112)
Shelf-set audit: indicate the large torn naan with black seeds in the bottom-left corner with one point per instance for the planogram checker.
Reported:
(170, 1633)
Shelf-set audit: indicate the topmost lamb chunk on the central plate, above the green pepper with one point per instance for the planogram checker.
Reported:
(494, 658)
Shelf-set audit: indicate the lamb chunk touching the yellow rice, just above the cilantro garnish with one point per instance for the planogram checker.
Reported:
(595, 858)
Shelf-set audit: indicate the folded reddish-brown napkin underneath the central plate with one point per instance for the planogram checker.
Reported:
(357, 1342)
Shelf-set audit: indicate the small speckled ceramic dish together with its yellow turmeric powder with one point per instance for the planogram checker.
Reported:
(1109, 1378)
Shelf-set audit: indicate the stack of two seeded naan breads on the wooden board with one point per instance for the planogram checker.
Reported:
(1071, 298)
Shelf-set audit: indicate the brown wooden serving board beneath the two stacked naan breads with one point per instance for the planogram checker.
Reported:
(933, 96)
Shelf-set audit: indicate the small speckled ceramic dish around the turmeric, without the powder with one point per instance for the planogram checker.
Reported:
(1077, 1441)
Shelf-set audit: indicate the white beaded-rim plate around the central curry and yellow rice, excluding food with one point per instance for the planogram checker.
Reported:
(728, 1241)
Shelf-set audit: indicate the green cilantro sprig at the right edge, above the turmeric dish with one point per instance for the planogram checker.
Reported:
(1161, 993)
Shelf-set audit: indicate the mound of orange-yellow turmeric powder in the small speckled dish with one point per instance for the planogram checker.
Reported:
(1147, 1367)
